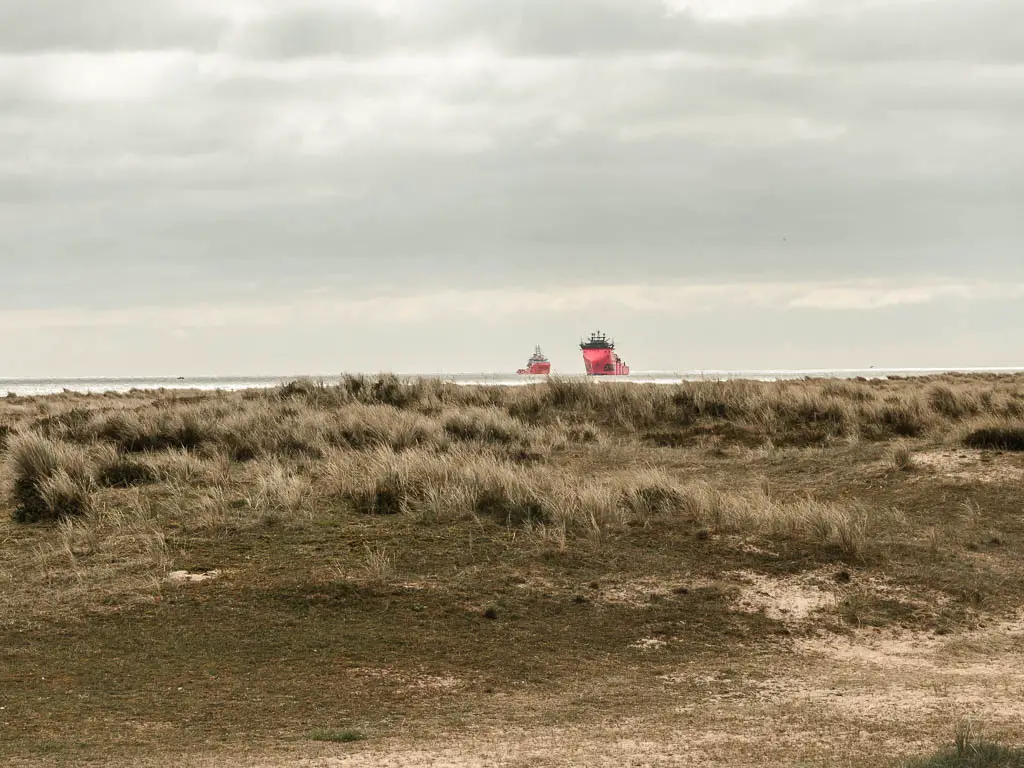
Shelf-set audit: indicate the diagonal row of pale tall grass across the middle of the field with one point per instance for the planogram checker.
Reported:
(451, 487)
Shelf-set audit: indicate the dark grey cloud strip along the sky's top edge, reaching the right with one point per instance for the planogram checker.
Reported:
(825, 32)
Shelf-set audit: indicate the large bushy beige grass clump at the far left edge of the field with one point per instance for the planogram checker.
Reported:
(53, 481)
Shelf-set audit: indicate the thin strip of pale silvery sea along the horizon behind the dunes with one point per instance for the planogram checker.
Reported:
(52, 387)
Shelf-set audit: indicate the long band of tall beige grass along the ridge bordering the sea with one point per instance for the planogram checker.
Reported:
(308, 419)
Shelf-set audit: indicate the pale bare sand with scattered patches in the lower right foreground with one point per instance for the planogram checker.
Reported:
(870, 697)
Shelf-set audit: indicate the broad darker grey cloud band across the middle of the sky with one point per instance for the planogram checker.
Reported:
(598, 214)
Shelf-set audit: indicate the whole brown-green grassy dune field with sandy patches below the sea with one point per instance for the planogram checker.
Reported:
(415, 574)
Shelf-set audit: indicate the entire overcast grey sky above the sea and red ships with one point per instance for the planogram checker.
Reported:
(286, 187)
